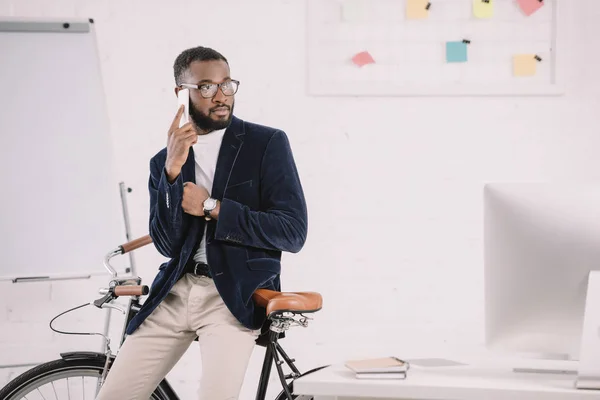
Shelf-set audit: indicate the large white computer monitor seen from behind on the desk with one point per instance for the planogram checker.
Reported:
(541, 240)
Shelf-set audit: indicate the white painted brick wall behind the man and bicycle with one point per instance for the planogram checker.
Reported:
(394, 185)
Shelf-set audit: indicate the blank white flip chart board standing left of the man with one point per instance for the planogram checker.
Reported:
(60, 205)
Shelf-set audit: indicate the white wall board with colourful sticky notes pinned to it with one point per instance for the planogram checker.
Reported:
(410, 54)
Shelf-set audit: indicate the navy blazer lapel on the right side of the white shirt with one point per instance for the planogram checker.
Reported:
(230, 148)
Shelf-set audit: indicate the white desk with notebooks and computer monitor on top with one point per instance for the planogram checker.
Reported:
(441, 383)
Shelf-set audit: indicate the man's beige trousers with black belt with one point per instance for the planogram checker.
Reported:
(192, 308)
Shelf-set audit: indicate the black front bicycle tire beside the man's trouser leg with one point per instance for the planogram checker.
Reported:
(35, 378)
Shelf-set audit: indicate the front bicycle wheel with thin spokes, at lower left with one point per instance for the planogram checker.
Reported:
(66, 378)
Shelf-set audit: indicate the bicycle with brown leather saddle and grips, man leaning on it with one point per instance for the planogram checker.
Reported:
(279, 320)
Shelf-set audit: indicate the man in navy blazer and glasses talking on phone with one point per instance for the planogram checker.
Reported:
(225, 201)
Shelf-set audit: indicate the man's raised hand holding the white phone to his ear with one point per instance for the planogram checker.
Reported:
(178, 145)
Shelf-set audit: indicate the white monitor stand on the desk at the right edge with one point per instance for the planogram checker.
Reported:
(588, 376)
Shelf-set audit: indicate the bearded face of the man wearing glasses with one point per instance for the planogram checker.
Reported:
(215, 112)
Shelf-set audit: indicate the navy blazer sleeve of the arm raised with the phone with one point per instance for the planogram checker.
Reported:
(165, 211)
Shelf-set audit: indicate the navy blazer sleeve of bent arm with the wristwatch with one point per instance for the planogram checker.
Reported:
(282, 222)
